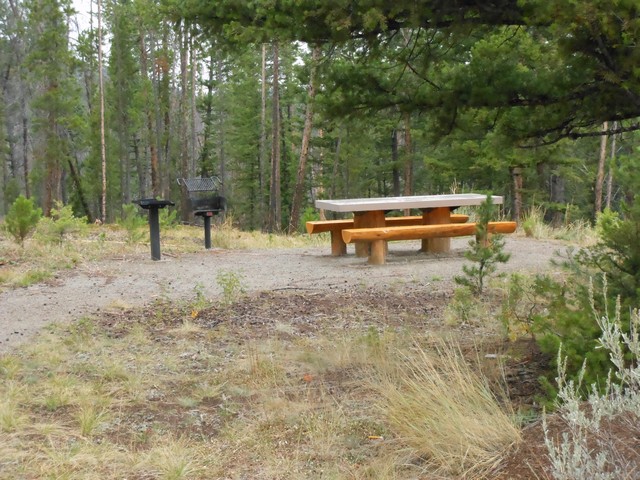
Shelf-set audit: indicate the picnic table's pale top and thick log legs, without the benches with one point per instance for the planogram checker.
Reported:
(436, 210)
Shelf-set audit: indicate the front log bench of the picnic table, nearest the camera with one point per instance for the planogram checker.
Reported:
(380, 235)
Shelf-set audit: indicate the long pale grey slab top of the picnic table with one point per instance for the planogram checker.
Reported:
(401, 203)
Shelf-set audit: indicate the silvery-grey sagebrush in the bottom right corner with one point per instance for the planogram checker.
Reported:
(586, 449)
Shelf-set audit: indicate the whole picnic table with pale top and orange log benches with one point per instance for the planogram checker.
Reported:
(371, 229)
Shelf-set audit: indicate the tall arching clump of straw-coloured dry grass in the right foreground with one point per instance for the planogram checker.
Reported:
(444, 411)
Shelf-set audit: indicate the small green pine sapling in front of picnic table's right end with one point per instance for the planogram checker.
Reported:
(485, 252)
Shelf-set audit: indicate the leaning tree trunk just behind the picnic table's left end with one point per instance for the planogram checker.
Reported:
(294, 218)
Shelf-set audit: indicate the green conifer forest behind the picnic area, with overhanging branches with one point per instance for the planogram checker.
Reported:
(288, 102)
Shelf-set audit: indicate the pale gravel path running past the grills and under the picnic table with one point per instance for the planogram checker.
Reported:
(135, 281)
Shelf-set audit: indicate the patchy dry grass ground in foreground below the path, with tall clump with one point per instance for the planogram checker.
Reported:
(148, 394)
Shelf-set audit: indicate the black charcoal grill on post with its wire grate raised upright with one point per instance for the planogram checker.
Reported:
(205, 200)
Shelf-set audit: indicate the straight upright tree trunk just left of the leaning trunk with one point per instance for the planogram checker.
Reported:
(275, 196)
